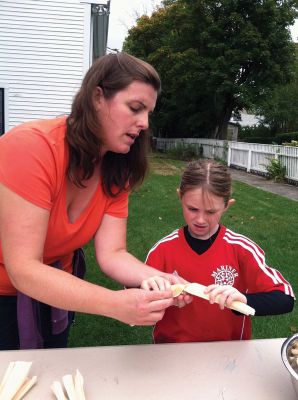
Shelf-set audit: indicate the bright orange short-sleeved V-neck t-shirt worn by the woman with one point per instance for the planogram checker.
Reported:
(33, 163)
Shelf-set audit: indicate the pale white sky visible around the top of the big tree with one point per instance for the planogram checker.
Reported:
(123, 16)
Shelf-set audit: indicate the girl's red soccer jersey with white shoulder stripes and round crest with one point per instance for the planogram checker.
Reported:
(234, 260)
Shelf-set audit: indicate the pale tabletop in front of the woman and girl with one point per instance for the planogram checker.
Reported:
(247, 370)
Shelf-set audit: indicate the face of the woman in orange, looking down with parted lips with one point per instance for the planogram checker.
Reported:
(124, 116)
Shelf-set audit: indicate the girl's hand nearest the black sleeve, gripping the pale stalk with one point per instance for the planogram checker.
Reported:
(224, 295)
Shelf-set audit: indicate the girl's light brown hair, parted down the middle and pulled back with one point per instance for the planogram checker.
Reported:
(209, 175)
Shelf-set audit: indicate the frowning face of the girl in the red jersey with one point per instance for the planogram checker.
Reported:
(202, 212)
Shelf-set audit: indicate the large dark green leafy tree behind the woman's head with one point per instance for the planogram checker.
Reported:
(214, 57)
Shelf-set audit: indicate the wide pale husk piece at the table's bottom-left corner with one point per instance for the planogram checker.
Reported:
(16, 377)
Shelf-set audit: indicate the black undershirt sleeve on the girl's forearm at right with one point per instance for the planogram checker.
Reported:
(270, 303)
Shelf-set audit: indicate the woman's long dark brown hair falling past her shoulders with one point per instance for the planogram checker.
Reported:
(112, 73)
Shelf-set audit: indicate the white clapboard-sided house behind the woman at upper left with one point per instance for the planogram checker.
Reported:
(46, 46)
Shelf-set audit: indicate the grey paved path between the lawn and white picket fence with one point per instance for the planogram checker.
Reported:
(282, 189)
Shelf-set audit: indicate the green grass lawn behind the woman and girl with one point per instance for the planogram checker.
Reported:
(154, 211)
